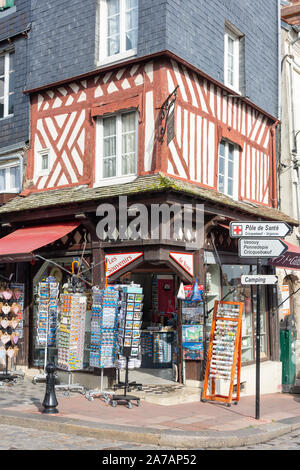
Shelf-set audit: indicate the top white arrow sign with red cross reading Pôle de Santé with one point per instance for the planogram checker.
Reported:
(259, 229)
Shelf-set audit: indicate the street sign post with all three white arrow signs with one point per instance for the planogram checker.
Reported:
(258, 240)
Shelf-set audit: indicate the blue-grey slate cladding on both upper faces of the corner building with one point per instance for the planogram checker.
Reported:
(62, 40)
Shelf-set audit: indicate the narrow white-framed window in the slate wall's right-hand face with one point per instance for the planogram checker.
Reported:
(232, 59)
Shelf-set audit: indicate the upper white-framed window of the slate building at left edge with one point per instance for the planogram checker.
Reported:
(7, 84)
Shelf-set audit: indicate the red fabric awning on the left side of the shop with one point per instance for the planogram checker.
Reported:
(20, 244)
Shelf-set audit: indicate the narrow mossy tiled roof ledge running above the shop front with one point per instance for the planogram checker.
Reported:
(141, 185)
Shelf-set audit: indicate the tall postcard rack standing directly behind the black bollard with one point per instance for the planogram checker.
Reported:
(48, 295)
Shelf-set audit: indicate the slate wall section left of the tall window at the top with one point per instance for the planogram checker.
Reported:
(62, 40)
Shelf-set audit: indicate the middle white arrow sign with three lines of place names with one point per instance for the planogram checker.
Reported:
(261, 248)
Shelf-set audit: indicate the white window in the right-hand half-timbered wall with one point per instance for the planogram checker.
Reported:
(228, 169)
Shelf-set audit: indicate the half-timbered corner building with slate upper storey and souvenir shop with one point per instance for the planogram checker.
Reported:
(119, 107)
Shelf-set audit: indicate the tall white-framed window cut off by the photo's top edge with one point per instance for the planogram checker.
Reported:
(118, 23)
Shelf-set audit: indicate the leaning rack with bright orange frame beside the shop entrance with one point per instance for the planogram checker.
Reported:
(224, 353)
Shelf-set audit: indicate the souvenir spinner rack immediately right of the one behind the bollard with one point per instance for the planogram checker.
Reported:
(71, 334)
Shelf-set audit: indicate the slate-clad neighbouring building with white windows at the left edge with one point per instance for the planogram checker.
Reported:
(15, 23)
